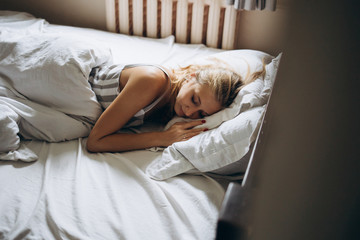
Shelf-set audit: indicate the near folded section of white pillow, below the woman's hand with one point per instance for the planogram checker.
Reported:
(210, 150)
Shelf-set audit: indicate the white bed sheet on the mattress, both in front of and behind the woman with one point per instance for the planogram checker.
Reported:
(69, 193)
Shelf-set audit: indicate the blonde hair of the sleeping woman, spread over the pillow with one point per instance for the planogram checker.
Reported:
(224, 82)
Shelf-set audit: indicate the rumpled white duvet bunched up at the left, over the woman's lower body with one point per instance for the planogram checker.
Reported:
(44, 89)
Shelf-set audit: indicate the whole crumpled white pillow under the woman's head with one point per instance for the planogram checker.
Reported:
(218, 149)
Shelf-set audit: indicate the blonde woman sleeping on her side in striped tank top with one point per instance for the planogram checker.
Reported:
(132, 94)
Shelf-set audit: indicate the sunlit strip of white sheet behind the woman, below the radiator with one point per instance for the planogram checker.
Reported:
(133, 49)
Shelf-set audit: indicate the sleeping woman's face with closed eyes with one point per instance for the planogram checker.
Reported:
(195, 100)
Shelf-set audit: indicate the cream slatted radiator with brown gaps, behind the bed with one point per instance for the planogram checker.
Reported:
(211, 22)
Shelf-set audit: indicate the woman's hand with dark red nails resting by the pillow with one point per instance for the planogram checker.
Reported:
(182, 131)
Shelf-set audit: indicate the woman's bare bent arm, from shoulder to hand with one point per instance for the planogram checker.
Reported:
(139, 89)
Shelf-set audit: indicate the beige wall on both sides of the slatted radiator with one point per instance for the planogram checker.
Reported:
(261, 30)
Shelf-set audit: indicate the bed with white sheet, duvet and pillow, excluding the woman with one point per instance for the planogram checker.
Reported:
(51, 187)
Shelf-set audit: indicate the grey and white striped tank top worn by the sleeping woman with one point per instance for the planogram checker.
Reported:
(104, 81)
